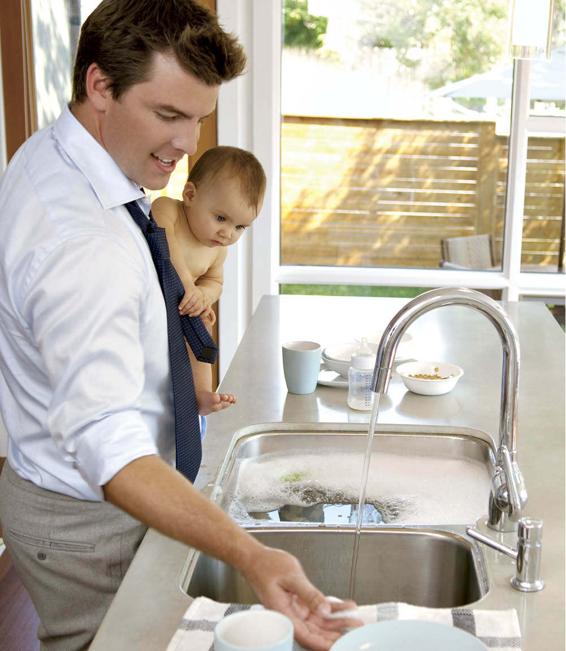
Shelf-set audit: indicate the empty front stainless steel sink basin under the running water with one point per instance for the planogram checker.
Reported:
(432, 568)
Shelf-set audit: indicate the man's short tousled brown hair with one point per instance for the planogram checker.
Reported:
(122, 35)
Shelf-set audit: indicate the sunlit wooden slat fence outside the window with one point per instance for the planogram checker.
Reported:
(385, 192)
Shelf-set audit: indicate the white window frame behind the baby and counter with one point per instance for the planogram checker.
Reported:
(249, 116)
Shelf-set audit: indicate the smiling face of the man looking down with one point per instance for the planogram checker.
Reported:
(156, 122)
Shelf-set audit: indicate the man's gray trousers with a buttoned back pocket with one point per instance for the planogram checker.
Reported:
(70, 554)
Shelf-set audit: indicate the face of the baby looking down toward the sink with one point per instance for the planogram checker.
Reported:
(217, 212)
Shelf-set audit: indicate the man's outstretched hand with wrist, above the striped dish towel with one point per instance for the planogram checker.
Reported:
(280, 583)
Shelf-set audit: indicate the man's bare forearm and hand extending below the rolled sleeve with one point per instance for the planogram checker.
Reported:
(154, 493)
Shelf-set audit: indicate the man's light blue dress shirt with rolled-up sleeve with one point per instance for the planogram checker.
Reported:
(84, 366)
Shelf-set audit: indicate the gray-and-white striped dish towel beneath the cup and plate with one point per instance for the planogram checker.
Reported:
(497, 629)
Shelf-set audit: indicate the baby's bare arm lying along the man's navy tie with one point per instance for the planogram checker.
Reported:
(166, 212)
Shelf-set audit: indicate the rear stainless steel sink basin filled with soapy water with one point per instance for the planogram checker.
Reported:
(283, 474)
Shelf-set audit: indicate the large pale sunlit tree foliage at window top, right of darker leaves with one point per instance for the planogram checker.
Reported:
(452, 39)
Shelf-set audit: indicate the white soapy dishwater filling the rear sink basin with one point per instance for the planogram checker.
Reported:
(401, 489)
